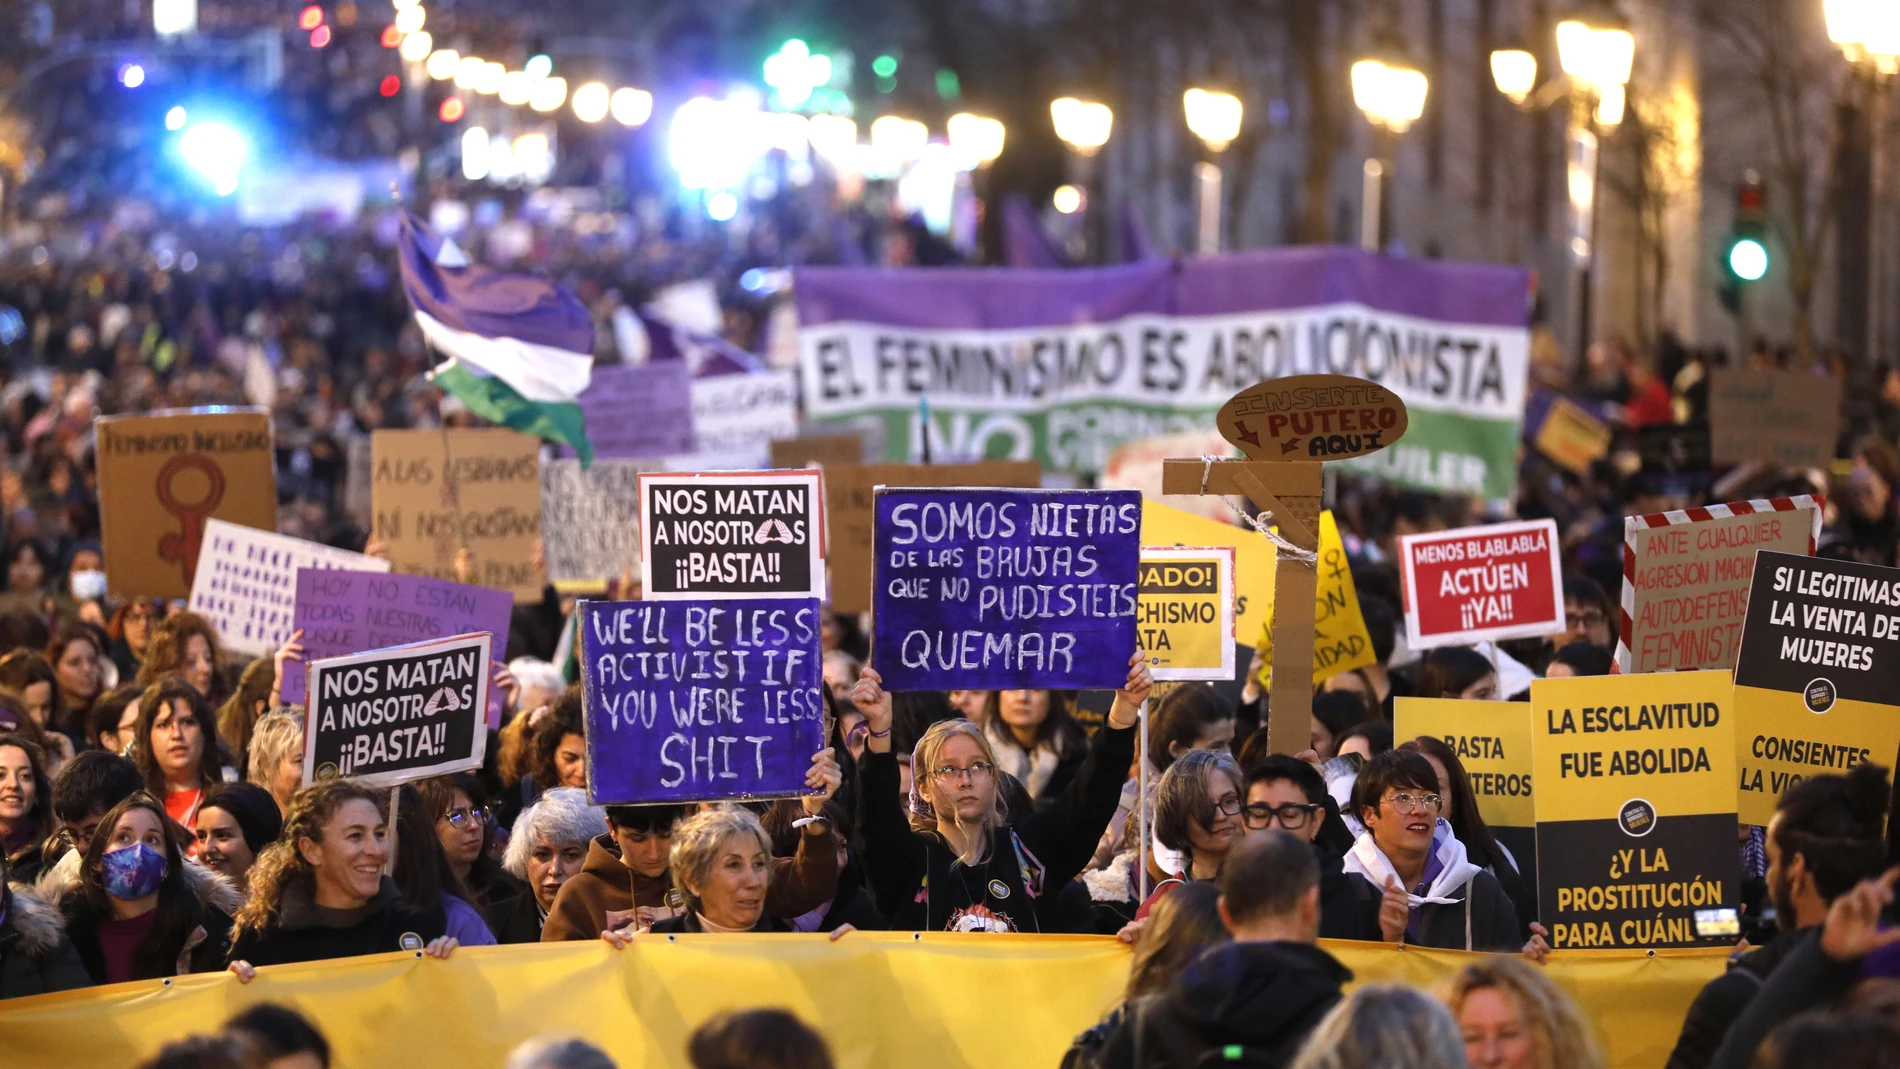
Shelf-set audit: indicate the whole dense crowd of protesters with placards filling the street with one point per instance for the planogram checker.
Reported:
(187, 795)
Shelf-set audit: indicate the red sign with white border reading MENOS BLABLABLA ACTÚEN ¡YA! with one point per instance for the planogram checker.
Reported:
(1483, 584)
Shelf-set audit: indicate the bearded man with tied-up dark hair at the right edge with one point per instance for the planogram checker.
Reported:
(1823, 840)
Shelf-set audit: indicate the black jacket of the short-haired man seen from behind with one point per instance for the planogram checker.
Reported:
(1263, 998)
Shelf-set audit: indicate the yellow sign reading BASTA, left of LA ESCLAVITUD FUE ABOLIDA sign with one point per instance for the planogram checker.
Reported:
(1492, 740)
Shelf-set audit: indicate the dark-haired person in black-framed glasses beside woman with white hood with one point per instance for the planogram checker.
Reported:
(1289, 795)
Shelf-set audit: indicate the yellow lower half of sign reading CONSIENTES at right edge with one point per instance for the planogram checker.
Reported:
(1779, 743)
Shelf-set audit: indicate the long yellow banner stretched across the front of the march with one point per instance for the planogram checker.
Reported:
(934, 1002)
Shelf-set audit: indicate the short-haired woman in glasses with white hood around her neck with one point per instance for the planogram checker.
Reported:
(1409, 846)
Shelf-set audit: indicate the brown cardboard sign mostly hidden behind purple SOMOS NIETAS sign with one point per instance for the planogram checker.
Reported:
(848, 502)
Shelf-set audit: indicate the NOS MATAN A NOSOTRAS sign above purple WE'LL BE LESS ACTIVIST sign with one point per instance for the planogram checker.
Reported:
(755, 534)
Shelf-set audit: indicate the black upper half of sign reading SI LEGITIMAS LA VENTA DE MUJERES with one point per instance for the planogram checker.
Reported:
(1823, 629)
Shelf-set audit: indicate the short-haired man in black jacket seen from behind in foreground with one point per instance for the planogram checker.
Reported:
(1257, 998)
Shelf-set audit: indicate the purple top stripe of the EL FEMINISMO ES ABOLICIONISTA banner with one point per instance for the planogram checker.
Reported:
(959, 299)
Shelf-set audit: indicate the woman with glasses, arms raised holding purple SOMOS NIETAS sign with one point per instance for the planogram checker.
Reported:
(957, 861)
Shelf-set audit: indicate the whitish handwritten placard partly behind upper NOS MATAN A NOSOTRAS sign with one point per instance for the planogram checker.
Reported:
(592, 519)
